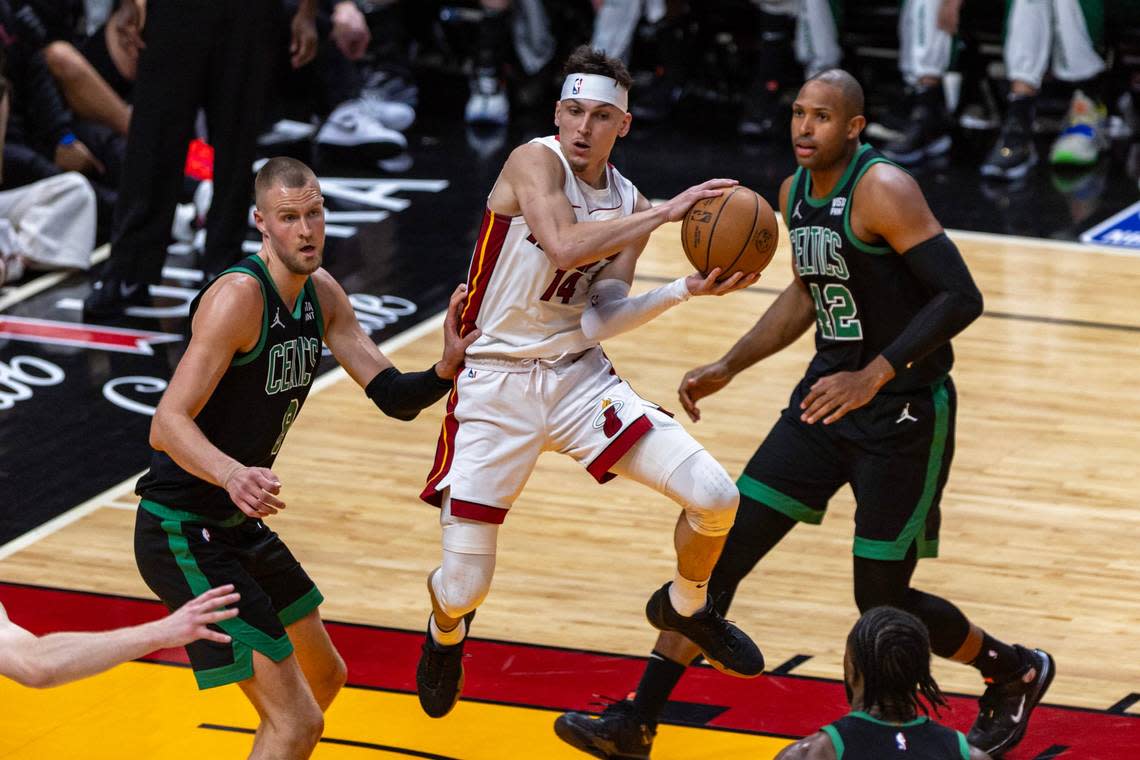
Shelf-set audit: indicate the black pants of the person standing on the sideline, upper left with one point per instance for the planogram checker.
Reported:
(200, 54)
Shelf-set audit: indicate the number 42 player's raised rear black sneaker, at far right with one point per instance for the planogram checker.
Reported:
(1005, 709)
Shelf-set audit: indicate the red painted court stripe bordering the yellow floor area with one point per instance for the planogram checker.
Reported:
(571, 680)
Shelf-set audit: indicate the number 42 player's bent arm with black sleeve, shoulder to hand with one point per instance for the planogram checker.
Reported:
(890, 207)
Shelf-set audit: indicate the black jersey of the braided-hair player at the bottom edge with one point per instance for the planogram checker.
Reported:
(859, 737)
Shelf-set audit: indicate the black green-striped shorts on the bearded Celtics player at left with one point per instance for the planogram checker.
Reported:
(181, 555)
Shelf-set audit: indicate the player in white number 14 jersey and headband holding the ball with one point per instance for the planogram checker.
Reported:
(550, 277)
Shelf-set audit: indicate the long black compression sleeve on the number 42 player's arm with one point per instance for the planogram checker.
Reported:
(956, 301)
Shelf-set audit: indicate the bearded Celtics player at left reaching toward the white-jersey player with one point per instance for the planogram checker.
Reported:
(256, 341)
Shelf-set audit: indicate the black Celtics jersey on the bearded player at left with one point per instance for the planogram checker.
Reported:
(256, 402)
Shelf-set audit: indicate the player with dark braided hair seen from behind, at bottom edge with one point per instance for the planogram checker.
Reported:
(887, 676)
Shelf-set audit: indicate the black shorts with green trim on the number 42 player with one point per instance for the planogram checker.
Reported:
(895, 453)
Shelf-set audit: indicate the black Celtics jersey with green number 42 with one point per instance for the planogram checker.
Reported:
(865, 295)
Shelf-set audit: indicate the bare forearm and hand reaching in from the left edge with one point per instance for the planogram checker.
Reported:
(61, 658)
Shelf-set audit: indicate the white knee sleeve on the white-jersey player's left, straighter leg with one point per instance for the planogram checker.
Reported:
(465, 577)
